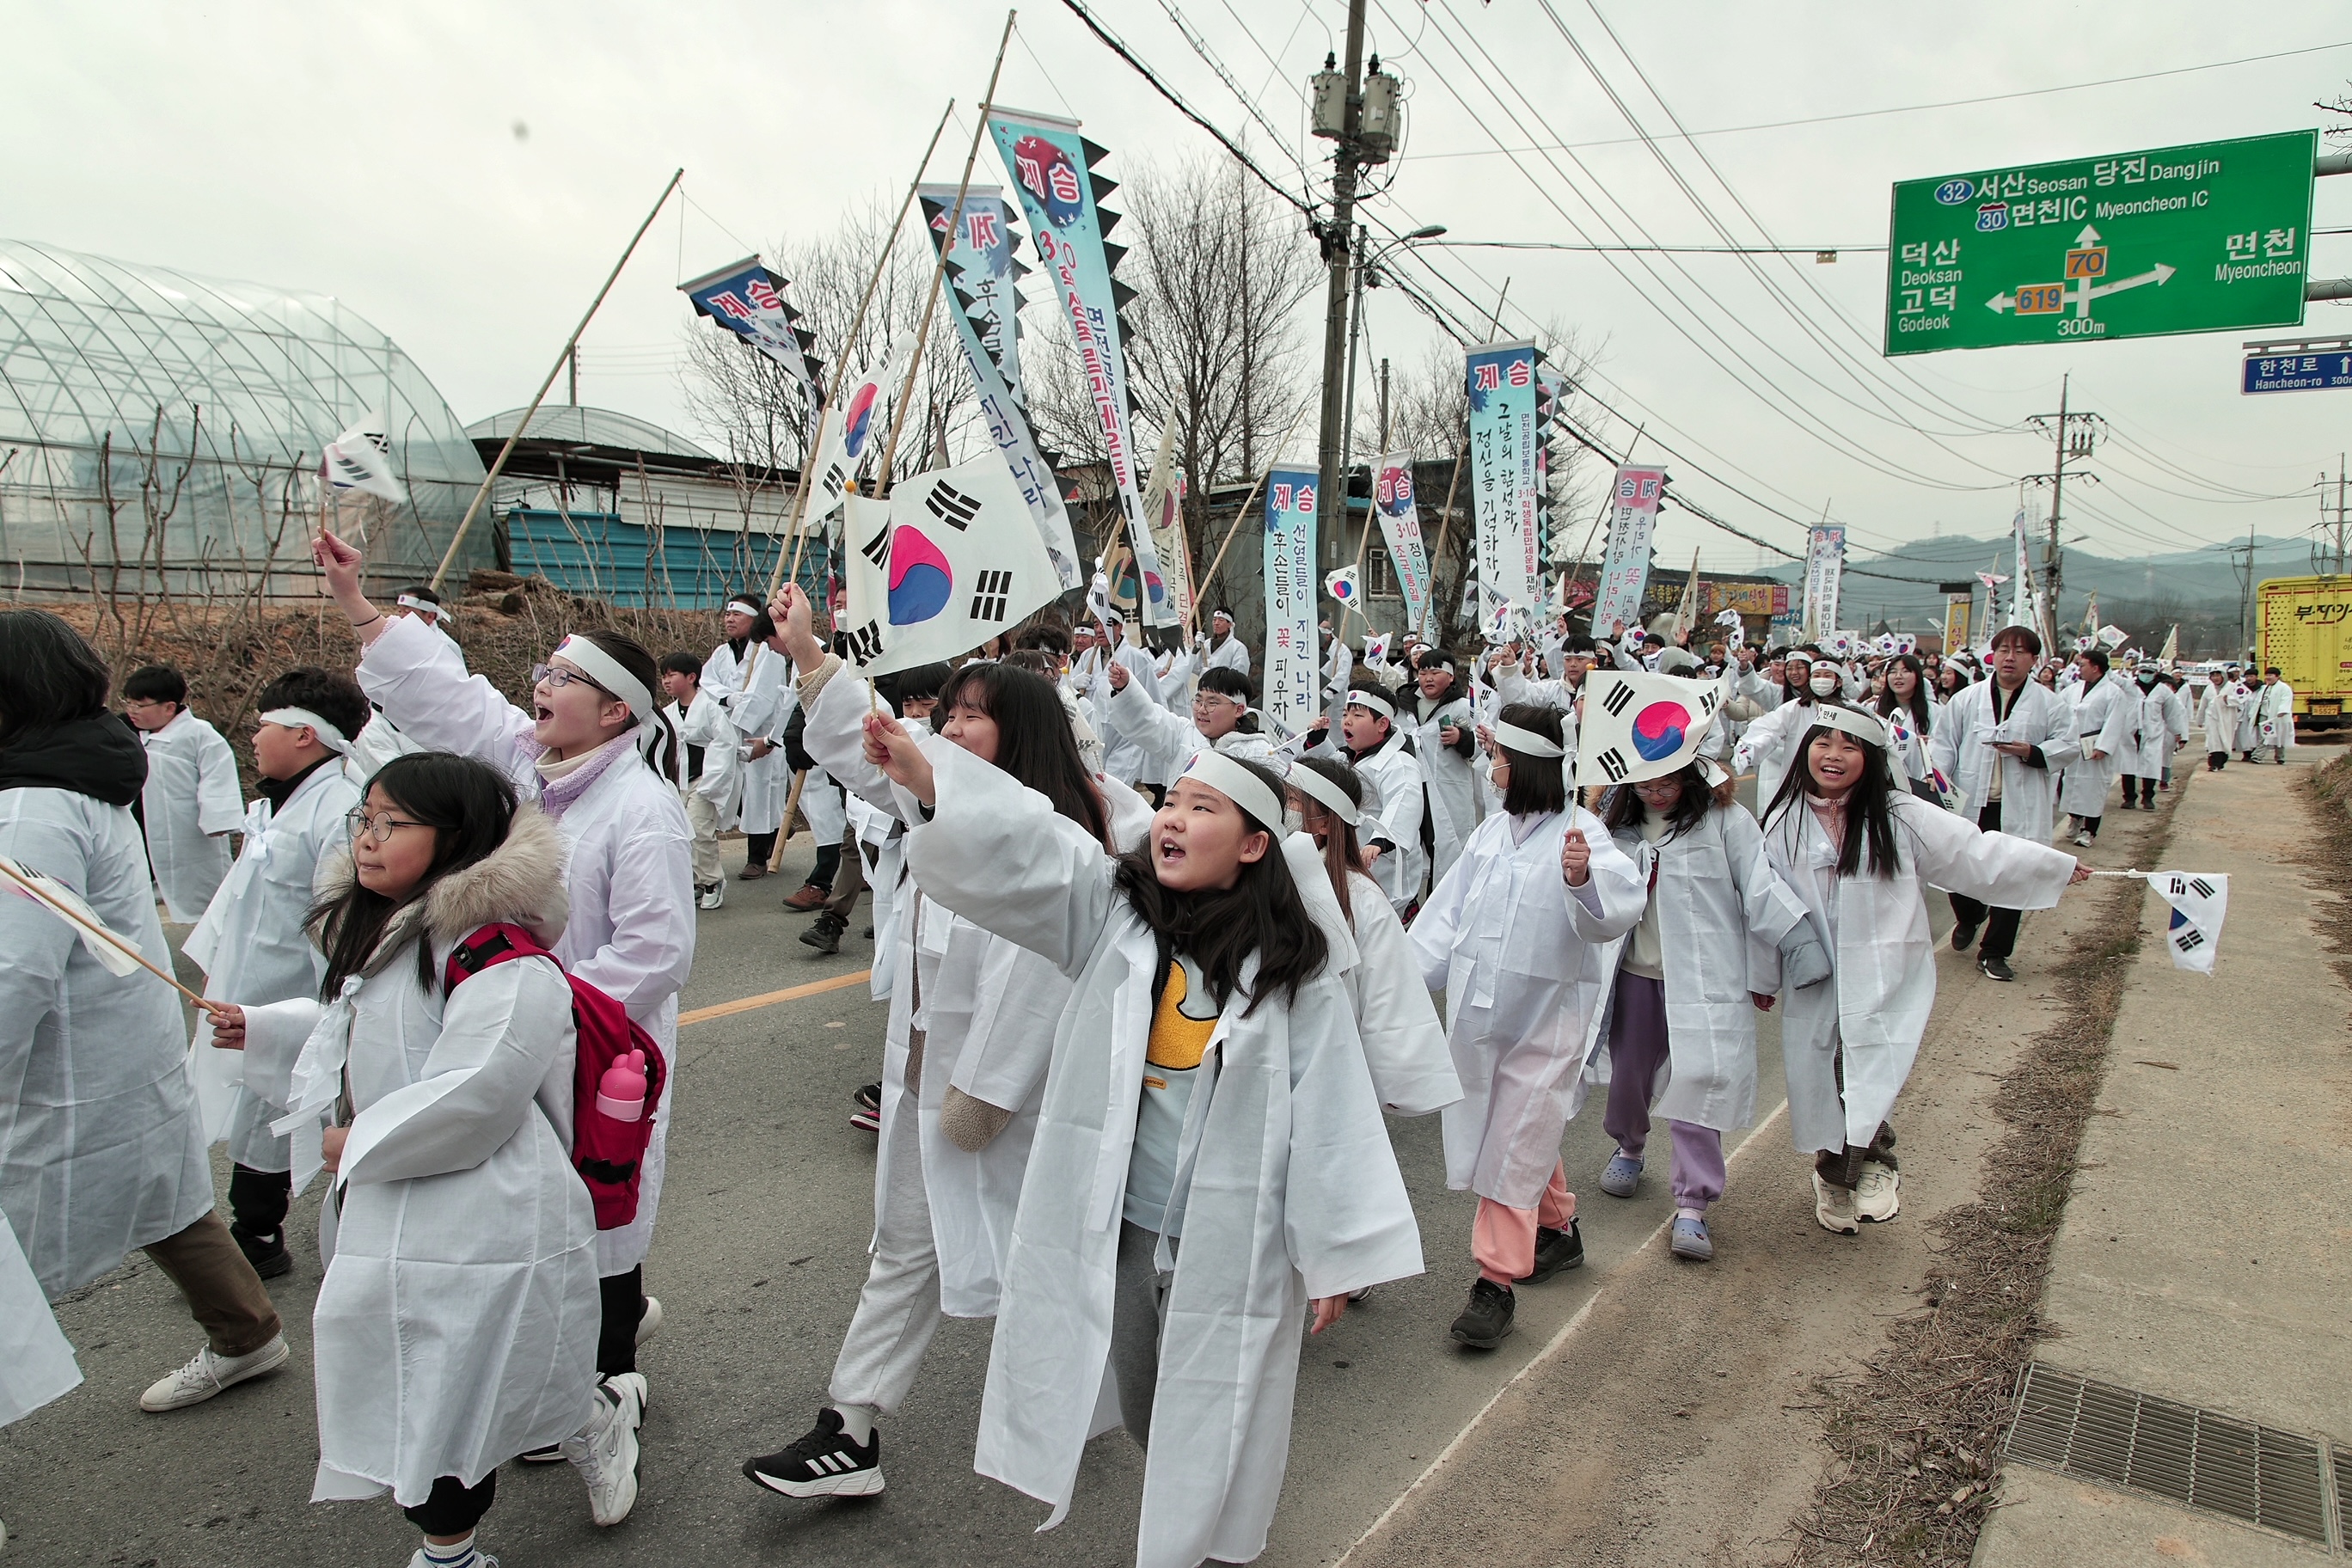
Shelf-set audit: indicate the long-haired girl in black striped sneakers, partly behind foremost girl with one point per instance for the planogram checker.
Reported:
(963, 1071)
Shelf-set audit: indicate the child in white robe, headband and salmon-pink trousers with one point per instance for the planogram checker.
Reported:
(1521, 939)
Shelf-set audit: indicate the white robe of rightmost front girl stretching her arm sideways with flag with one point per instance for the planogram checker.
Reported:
(1876, 1005)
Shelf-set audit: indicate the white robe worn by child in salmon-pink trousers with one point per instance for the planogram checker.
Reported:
(1523, 960)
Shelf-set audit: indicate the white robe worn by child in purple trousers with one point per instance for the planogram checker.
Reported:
(1723, 913)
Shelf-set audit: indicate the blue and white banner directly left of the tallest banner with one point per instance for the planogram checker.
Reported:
(984, 307)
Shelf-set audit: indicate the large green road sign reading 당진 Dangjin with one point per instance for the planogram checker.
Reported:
(2132, 246)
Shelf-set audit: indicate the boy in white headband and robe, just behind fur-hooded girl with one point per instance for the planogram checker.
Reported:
(253, 944)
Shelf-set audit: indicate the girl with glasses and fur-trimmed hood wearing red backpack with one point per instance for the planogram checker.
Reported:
(457, 1320)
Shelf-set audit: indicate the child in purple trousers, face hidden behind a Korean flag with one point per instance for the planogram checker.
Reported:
(1683, 1038)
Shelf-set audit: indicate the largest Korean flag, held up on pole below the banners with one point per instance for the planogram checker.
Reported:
(944, 565)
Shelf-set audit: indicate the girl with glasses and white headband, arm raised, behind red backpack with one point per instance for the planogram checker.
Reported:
(582, 758)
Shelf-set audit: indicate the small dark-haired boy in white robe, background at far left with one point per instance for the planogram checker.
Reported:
(192, 800)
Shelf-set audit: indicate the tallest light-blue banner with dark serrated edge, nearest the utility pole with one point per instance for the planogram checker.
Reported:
(1053, 170)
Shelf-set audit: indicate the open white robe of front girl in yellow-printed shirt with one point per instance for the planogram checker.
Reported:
(1295, 1191)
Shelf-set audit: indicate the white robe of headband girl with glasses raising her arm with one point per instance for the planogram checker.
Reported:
(632, 869)
